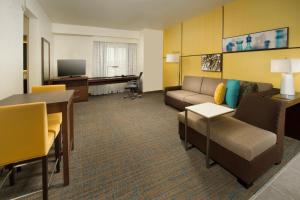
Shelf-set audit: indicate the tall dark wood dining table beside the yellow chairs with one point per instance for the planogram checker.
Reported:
(60, 101)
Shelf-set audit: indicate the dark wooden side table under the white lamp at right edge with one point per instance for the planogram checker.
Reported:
(292, 113)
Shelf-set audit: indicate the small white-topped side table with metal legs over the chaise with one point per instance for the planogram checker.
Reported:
(208, 111)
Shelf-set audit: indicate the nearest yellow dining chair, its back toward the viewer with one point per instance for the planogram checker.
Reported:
(25, 137)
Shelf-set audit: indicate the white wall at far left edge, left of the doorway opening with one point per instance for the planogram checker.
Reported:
(11, 47)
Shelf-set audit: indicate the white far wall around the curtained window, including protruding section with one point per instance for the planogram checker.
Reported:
(76, 42)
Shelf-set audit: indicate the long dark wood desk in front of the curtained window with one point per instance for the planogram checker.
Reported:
(111, 80)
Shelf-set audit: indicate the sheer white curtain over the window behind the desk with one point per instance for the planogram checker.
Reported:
(113, 59)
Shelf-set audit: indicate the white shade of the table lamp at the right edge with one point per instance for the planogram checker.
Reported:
(285, 65)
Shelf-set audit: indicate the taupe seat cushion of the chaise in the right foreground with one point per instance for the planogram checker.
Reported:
(239, 137)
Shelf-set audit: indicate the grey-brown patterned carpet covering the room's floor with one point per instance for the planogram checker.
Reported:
(130, 149)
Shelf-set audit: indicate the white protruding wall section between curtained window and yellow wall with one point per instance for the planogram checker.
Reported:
(152, 59)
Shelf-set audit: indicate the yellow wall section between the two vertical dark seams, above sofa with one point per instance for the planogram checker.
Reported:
(201, 35)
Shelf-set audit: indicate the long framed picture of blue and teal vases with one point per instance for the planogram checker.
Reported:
(265, 40)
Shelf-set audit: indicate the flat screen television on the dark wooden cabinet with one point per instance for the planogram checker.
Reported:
(71, 67)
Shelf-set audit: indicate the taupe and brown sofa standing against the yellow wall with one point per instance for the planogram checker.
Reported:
(196, 90)
